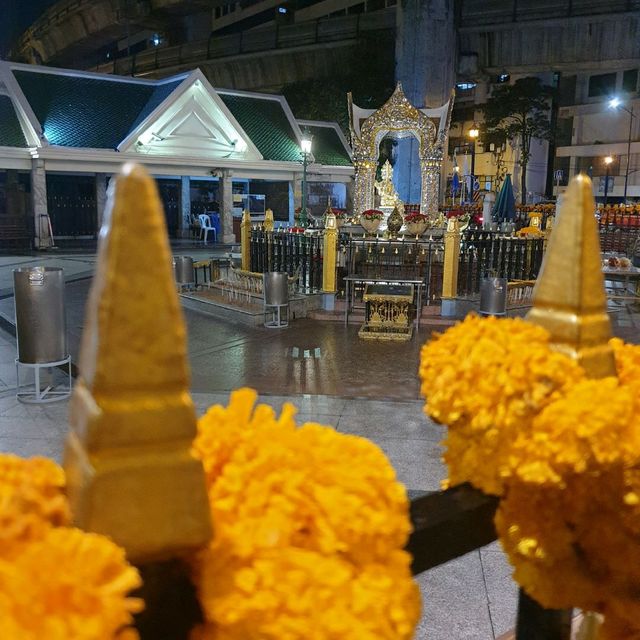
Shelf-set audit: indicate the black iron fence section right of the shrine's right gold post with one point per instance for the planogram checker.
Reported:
(485, 253)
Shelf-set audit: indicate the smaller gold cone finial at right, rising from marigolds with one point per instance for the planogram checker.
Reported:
(569, 298)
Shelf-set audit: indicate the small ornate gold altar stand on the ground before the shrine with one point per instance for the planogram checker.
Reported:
(387, 312)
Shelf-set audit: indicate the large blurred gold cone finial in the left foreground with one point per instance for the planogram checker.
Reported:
(130, 474)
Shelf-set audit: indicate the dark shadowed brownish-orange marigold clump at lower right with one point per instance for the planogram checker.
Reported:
(577, 545)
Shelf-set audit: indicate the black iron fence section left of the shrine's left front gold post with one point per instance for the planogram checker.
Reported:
(297, 254)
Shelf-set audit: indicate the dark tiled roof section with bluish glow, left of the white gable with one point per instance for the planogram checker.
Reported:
(89, 112)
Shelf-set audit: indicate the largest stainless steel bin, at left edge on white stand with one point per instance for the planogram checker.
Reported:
(41, 325)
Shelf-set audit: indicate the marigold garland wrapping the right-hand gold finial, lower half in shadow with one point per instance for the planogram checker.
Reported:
(560, 450)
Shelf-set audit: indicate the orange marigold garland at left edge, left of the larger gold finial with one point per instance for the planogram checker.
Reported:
(56, 582)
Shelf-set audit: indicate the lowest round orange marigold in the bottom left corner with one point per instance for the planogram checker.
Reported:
(69, 584)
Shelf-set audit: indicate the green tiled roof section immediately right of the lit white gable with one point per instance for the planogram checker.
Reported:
(266, 124)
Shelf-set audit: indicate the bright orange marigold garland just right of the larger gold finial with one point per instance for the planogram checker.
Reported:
(309, 527)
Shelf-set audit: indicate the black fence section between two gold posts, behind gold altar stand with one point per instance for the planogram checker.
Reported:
(397, 260)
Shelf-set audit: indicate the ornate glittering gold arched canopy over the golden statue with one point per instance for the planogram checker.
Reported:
(400, 118)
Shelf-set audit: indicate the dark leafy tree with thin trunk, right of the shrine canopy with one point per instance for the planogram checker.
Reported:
(519, 110)
